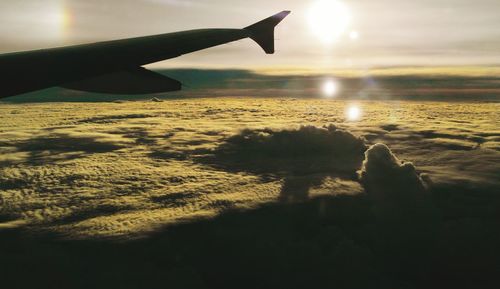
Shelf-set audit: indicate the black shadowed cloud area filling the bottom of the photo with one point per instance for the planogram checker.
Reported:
(334, 241)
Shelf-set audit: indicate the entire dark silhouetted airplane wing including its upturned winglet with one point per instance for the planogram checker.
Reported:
(116, 66)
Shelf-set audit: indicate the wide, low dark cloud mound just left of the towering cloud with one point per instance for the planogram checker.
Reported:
(306, 150)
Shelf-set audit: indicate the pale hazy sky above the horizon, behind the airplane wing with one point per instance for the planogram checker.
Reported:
(379, 33)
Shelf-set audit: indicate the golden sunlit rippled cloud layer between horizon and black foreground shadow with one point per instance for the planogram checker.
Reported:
(124, 169)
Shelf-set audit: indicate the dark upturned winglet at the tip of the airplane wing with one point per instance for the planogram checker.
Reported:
(263, 32)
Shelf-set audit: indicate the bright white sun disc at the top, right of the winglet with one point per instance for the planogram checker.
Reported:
(329, 19)
